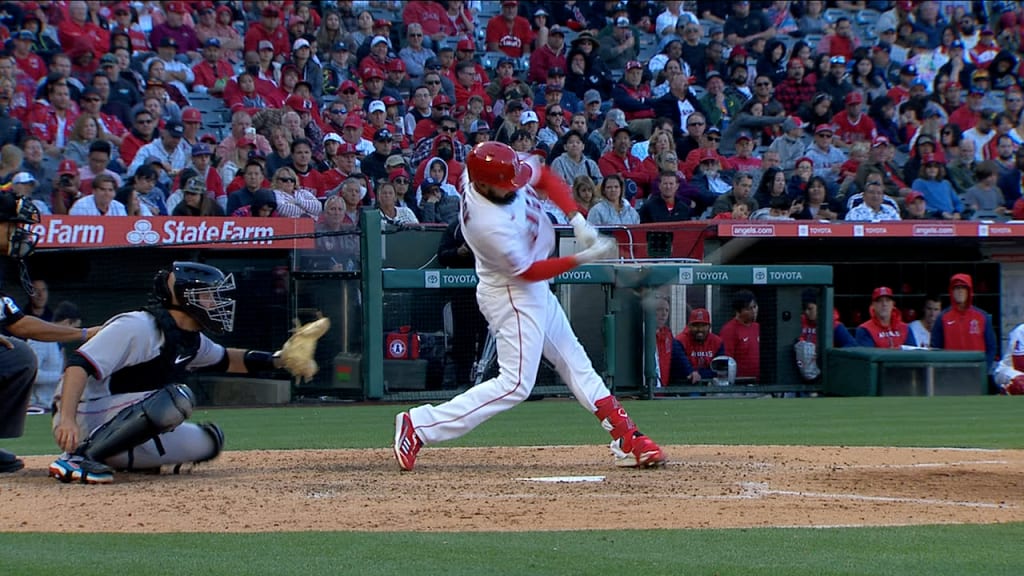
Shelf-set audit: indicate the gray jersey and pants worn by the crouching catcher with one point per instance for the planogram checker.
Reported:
(125, 368)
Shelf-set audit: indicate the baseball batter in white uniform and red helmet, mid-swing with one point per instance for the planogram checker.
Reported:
(513, 238)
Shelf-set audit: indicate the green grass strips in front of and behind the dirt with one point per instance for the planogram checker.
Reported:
(977, 423)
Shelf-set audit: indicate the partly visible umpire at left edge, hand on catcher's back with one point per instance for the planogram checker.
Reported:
(18, 362)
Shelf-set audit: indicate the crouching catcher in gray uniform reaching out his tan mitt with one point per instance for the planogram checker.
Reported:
(120, 404)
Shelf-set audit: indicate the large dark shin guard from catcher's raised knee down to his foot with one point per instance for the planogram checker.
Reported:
(162, 412)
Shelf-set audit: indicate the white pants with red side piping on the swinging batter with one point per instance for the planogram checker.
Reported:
(528, 321)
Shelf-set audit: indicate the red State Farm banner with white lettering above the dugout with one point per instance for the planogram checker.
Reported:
(94, 232)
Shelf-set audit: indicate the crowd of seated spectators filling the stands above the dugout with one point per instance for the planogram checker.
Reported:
(654, 111)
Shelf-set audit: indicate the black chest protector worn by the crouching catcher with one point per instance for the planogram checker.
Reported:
(179, 350)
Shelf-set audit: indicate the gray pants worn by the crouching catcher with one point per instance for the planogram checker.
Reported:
(187, 443)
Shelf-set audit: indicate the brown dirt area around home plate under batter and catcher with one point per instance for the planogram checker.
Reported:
(486, 489)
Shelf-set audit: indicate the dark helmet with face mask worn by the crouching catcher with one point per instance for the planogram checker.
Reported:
(199, 292)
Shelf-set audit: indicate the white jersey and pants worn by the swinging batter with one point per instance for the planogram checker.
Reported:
(526, 317)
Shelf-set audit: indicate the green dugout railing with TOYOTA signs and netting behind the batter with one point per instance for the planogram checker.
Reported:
(606, 304)
